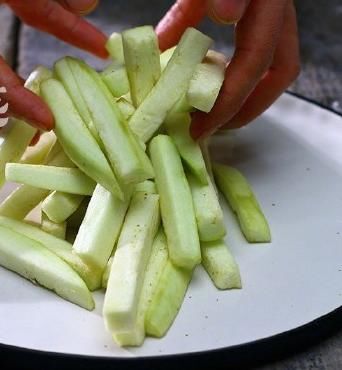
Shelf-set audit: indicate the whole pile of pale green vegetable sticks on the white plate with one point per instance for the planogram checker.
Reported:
(128, 199)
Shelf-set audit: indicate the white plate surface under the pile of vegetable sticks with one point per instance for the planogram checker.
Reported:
(292, 156)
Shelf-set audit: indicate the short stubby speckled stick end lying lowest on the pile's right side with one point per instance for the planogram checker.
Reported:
(220, 265)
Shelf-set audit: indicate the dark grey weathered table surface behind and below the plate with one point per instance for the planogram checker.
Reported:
(320, 27)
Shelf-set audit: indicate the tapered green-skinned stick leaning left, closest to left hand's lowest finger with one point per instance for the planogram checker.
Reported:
(80, 145)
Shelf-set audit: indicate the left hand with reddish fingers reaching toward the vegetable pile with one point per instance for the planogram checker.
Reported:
(62, 19)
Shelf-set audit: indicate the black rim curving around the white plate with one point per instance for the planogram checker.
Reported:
(280, 344)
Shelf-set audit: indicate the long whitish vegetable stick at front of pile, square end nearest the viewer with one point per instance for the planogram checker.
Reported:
(129, 263)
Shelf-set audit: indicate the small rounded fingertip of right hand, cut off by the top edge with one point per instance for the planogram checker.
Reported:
(227, 11)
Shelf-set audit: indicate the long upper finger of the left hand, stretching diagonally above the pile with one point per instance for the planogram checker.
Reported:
(51, 17)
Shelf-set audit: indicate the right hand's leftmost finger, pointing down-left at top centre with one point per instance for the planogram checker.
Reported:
(183, 14)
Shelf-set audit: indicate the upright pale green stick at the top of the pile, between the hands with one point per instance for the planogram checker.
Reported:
(141, 53)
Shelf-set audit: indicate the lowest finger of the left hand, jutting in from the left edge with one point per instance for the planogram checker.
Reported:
(23, 103)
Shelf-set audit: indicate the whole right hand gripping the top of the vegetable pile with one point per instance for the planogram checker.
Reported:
(265, 62)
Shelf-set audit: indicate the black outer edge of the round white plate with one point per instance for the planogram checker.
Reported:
(242, 356)
